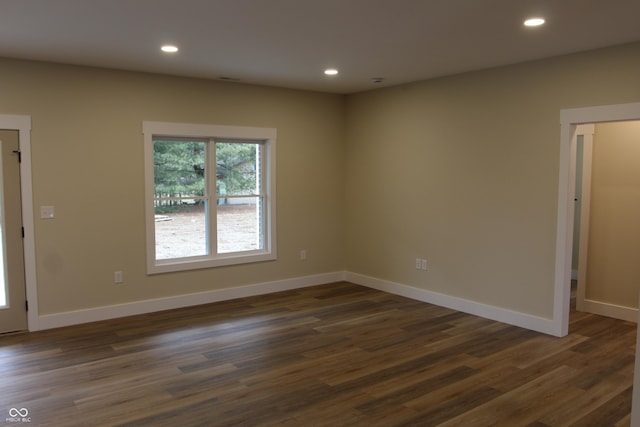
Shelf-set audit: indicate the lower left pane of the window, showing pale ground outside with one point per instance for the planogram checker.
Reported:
(181, 232)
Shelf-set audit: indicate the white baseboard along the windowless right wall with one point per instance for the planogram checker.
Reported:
(523, 320)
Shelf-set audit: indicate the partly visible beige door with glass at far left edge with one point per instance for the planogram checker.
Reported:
(13, 311)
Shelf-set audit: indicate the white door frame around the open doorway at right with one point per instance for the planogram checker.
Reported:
(569, 120)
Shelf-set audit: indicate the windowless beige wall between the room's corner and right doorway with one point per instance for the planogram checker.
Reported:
(463, 171)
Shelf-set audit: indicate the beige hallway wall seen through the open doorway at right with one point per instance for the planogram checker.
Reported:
(613, 267)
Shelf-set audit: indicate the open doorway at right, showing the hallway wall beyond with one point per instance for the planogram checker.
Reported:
(606, 226)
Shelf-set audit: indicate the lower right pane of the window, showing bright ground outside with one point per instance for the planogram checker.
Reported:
(240, 224)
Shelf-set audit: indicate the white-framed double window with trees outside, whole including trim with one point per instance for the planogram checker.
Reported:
(210, 195)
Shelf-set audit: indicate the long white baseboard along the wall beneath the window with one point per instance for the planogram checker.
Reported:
(57, 320)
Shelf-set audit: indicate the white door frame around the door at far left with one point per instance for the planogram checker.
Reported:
(22, 124)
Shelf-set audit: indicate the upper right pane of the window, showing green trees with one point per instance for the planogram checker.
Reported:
(236, 169)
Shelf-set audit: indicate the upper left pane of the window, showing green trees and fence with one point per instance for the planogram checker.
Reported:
(179, 168)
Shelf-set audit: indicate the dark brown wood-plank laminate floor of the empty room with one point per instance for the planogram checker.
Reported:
(331, 355)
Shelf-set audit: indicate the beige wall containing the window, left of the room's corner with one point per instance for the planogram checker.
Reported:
(87, 159)
